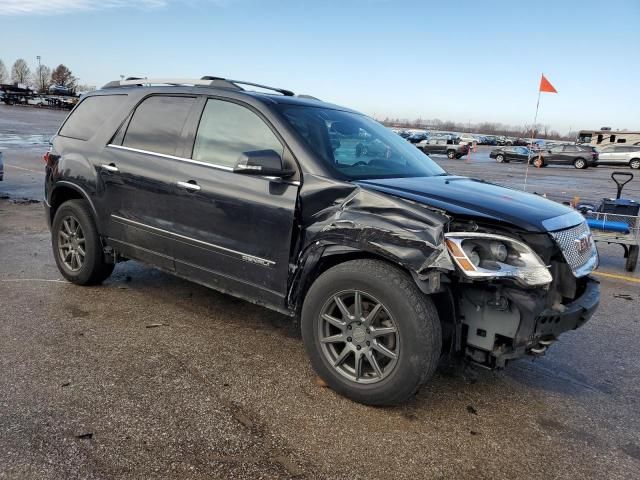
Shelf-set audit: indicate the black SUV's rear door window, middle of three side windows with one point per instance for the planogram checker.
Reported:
(157, 123)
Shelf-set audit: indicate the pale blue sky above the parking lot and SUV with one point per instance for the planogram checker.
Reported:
(452, 60)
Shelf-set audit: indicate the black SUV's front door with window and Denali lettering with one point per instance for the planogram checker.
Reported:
(234, 230)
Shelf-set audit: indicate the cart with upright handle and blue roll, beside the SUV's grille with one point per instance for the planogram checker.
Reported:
(629, 238)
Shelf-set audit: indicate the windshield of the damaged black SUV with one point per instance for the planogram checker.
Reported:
(356, 146)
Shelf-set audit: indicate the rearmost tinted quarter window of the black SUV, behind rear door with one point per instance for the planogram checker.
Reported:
(90, 114)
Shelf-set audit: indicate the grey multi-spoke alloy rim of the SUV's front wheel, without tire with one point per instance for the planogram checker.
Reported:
(358, 337)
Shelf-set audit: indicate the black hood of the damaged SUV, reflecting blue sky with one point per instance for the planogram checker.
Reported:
(467, 197)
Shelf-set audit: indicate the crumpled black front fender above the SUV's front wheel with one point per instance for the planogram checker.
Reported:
(342, 220)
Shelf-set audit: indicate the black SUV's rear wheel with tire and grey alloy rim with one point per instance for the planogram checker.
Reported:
(76, 245)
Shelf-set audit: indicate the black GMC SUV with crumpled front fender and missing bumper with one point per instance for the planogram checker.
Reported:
(387, 260)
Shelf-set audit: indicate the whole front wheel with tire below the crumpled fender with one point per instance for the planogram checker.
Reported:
(370, 333)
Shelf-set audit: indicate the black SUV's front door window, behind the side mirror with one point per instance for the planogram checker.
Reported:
(227, 130)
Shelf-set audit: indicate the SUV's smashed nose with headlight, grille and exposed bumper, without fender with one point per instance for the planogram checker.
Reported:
(520, 303)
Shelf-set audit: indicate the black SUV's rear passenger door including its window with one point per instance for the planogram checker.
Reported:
(138, 174)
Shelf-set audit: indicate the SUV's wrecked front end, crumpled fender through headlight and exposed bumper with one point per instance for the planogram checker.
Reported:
(501, 293)
